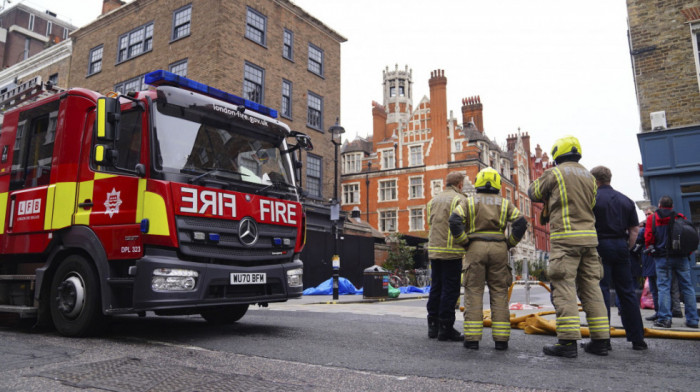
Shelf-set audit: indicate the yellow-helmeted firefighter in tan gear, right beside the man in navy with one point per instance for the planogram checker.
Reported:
(568, 191)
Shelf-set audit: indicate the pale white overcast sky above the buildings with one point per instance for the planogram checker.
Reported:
(548, 67)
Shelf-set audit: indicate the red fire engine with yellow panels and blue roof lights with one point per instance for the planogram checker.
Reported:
(179, 200)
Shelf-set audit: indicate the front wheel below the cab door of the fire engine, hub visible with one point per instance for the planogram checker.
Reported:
(75, 298)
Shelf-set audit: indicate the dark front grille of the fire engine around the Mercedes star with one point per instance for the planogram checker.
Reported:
(229, 246)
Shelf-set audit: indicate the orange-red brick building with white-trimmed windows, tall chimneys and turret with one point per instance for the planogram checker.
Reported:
(391, 175)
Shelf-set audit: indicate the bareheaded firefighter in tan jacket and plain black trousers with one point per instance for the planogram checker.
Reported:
(445, 260)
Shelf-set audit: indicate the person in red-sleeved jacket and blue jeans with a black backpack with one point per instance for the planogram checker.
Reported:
(657, 243)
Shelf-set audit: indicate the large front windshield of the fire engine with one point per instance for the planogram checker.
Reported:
(197, 136)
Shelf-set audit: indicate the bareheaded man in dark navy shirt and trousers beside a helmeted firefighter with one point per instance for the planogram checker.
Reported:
(617, 225)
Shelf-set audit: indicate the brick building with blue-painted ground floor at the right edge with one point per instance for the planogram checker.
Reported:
(665, 50)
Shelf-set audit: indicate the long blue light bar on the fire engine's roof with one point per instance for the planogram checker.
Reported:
(165, 78)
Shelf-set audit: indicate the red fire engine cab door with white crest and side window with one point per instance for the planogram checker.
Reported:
(109, 191)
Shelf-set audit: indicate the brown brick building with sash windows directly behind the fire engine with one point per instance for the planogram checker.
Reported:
(268, 51)
